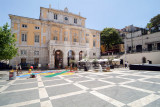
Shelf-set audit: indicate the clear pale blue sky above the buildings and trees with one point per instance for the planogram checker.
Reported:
(99, 13)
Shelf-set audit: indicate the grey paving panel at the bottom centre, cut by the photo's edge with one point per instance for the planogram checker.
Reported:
(82, 100)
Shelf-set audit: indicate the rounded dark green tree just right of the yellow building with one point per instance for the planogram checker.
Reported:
(110, 37)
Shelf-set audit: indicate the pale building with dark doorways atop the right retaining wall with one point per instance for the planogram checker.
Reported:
(142, 43)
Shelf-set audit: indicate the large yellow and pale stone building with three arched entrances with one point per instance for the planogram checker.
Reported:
(55, 38)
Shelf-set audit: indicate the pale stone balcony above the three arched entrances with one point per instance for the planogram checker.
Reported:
(67, 43)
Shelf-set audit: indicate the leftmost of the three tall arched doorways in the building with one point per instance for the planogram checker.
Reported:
(58, 59)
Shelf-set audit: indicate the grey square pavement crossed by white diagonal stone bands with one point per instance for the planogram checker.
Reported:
(119, 88)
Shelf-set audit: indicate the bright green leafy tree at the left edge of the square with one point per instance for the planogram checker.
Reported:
(7, 43)
